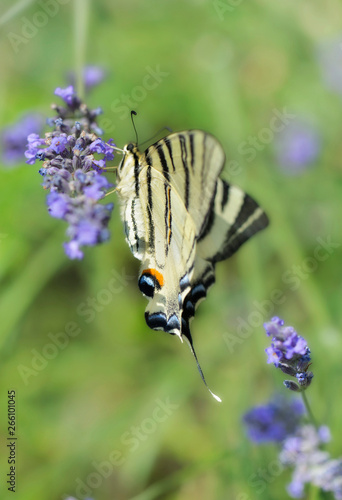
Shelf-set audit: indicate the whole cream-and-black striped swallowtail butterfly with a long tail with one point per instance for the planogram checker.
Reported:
(180, 219)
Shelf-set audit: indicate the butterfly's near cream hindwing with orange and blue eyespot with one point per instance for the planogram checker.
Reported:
(169, 251)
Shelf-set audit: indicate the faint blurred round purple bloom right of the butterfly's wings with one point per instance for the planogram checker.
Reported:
(297, 146)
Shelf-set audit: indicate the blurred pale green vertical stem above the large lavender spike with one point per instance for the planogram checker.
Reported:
(81, 11)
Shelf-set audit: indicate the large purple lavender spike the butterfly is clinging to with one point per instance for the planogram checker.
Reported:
(72, 174)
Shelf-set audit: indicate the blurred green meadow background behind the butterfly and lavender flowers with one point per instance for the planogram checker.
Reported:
(228, 67)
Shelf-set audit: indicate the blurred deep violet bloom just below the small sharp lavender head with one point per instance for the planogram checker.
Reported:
(273, 421)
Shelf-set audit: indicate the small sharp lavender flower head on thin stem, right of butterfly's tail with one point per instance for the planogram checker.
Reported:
(289, 352)
